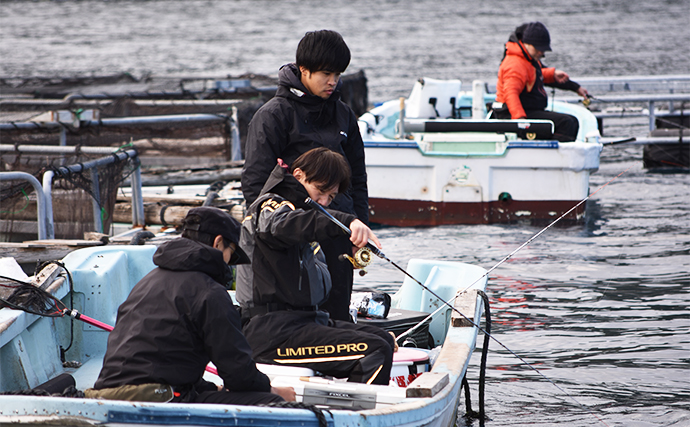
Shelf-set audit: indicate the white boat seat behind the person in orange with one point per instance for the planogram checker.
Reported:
(433, 98)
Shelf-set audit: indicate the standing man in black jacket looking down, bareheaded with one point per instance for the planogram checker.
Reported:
(306, 113)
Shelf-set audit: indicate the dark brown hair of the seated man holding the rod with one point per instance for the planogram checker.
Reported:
(325, 168)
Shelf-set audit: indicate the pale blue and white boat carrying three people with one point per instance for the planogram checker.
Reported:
(30, 348)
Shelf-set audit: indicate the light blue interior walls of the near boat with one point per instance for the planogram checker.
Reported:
(32, 348)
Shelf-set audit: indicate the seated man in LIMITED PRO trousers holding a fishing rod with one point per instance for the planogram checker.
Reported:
(281, 291)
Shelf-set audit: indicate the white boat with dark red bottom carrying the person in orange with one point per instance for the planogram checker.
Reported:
(447, 163)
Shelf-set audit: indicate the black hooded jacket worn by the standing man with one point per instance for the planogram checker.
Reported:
(294, 122)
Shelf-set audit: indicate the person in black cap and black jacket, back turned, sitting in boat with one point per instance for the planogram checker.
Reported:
(178, 318)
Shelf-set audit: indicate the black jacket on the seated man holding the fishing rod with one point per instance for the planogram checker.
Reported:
(280, 235)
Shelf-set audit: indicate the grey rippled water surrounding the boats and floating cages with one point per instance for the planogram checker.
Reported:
(601, 309)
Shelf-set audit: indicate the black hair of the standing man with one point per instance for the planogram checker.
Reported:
(323, 50)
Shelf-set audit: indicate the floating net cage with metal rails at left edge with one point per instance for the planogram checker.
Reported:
(73, 194)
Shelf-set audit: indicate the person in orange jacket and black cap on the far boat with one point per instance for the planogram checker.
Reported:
(520, 89)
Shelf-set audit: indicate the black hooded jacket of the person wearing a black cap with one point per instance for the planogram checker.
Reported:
(177, 319)
